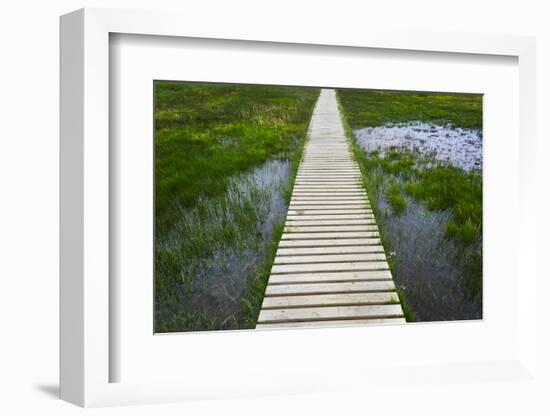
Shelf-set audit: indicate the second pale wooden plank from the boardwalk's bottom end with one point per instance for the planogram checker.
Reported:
(328, 313)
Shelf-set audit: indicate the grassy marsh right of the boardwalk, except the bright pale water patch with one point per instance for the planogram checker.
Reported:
(437, 258)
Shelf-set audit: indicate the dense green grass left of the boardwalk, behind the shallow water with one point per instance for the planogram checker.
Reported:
(204, 133)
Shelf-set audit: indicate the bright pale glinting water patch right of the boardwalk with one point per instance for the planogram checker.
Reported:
(458, 146)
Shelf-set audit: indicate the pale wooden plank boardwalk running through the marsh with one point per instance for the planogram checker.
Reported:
(330, 268)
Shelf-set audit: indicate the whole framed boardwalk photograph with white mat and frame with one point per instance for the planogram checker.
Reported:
(270, 213)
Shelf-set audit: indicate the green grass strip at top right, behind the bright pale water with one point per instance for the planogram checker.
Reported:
(376, 108)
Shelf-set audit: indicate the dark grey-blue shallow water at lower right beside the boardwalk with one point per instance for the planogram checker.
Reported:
(428, 267)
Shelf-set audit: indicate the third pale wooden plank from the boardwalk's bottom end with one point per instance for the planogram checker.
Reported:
(332, 299)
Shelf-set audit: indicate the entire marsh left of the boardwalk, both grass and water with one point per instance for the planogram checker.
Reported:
(225, 160)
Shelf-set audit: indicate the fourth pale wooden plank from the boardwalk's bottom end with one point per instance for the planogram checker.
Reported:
(332, 287)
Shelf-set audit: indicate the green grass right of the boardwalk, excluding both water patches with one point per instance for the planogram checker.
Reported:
(403, 175)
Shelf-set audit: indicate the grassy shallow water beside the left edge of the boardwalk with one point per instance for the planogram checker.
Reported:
(216, 271)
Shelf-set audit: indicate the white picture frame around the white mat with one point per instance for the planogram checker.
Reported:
(85, 221)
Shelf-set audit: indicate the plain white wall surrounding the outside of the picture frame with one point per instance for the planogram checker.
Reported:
(29, 203)
